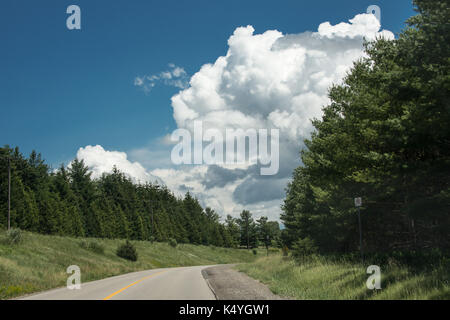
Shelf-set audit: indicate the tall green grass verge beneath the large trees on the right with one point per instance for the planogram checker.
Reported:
(325, 278)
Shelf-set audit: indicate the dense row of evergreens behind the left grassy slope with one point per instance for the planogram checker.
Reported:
(69, 202)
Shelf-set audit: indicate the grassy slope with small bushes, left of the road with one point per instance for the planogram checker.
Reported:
(39, 262)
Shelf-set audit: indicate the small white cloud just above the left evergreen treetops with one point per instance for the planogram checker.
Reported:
(102, 161)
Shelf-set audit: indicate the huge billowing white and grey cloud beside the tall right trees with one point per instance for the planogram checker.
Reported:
(267, 80)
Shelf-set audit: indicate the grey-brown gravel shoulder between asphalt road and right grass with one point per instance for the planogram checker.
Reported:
(229, 284)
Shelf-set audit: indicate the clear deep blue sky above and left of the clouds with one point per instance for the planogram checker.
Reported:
(61, 89)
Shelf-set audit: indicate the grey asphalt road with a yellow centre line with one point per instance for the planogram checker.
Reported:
(184, 283)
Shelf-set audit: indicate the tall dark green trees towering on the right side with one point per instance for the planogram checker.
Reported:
(384, 137)
